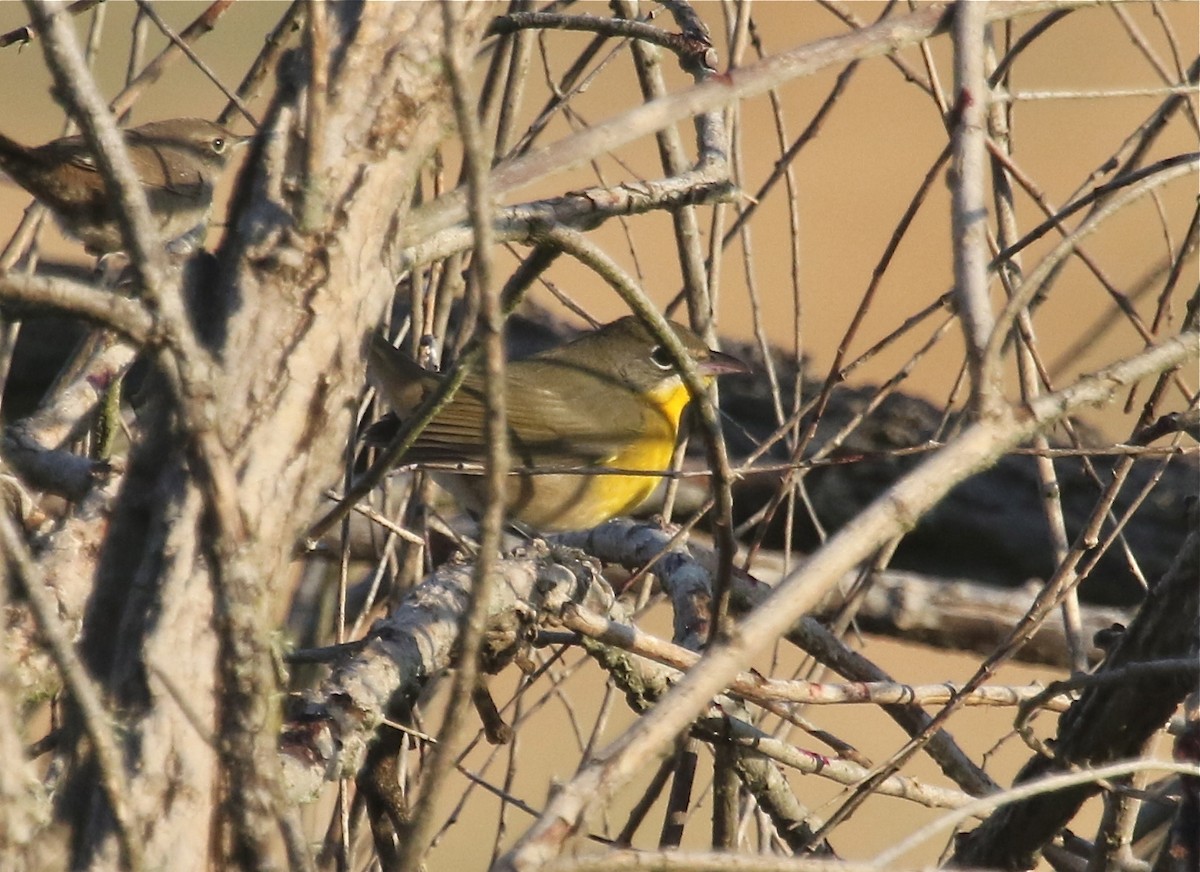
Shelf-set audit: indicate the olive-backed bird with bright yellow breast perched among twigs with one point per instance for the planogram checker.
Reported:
(610, 399)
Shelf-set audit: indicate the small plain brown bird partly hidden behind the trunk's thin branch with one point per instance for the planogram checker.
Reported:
(178, 163)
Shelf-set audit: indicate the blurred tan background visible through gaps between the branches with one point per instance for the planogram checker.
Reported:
(854, 181)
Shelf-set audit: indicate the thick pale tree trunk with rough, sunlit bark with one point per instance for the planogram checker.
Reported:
(170, 615)
